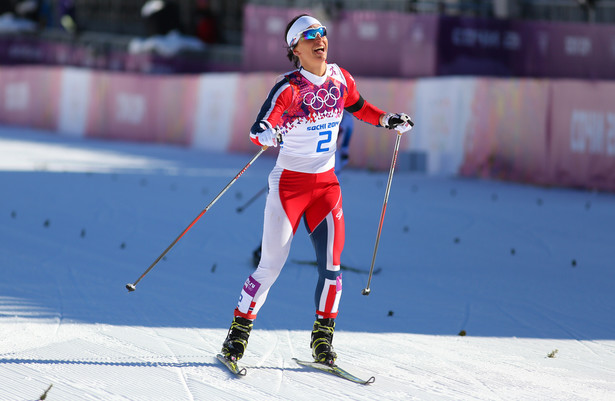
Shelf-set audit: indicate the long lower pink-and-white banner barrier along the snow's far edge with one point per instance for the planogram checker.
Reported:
(548, 132)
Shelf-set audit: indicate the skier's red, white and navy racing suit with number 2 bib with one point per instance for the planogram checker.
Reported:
(308, 109)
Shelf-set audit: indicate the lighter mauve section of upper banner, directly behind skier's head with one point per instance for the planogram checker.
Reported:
(367, 43)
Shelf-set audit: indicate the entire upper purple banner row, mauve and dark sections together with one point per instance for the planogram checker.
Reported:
(389, 44)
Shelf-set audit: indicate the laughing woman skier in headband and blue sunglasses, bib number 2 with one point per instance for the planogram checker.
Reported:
(303, 113)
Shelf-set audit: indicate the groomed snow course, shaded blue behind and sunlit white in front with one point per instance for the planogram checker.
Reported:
(524, 271)
